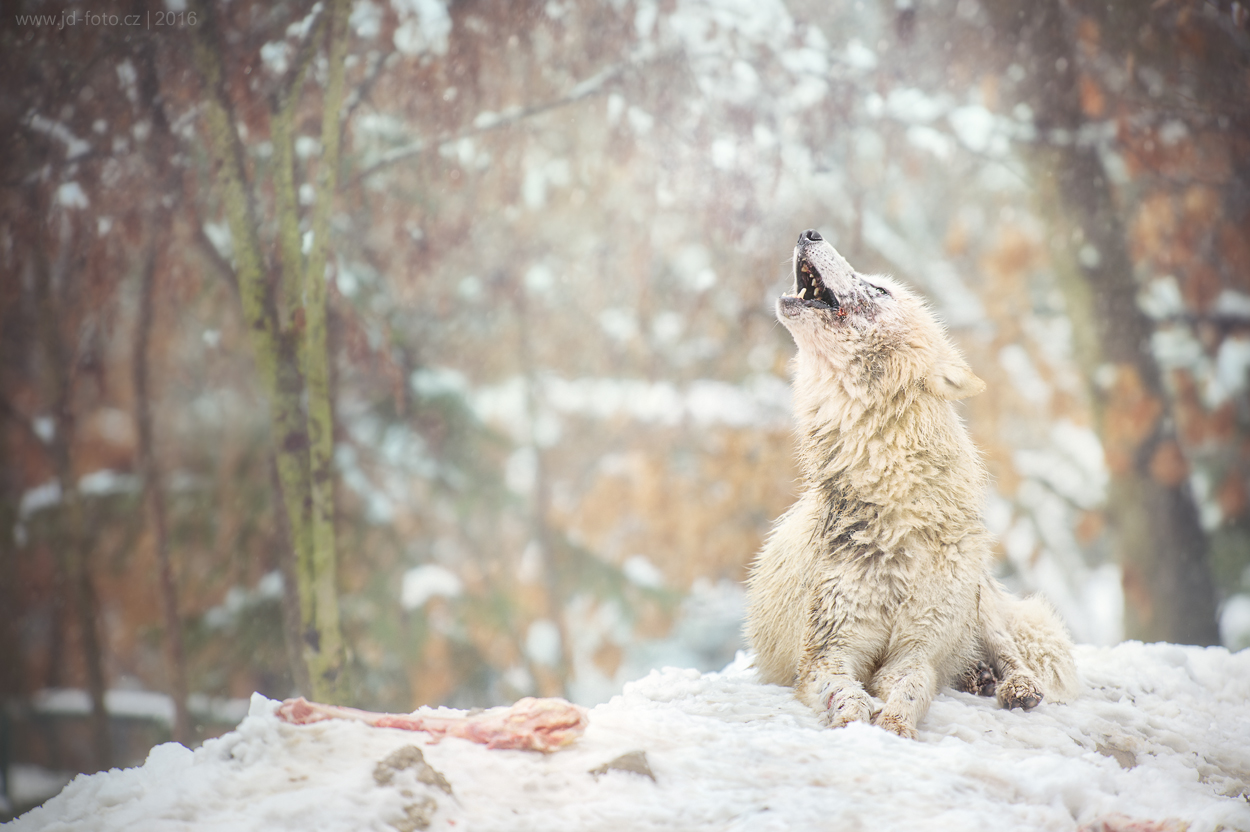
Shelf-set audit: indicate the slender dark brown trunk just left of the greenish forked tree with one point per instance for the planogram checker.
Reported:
(154, 494)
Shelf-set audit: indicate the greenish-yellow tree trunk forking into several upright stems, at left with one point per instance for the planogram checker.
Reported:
(294, 363)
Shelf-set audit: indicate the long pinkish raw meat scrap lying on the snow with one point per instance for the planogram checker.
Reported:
(531, 725)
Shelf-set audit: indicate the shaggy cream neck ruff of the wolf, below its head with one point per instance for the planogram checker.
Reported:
(876, 459)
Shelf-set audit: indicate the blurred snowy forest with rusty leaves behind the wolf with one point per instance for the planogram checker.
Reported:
(403, 353)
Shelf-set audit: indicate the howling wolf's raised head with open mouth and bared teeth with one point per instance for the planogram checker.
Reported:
(872, 332)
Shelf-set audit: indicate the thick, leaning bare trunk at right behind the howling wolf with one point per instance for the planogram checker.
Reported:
(1162, 547)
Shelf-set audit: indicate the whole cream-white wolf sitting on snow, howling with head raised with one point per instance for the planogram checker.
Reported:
(873, 590)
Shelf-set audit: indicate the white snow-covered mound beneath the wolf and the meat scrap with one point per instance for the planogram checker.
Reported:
(1159, 740)
